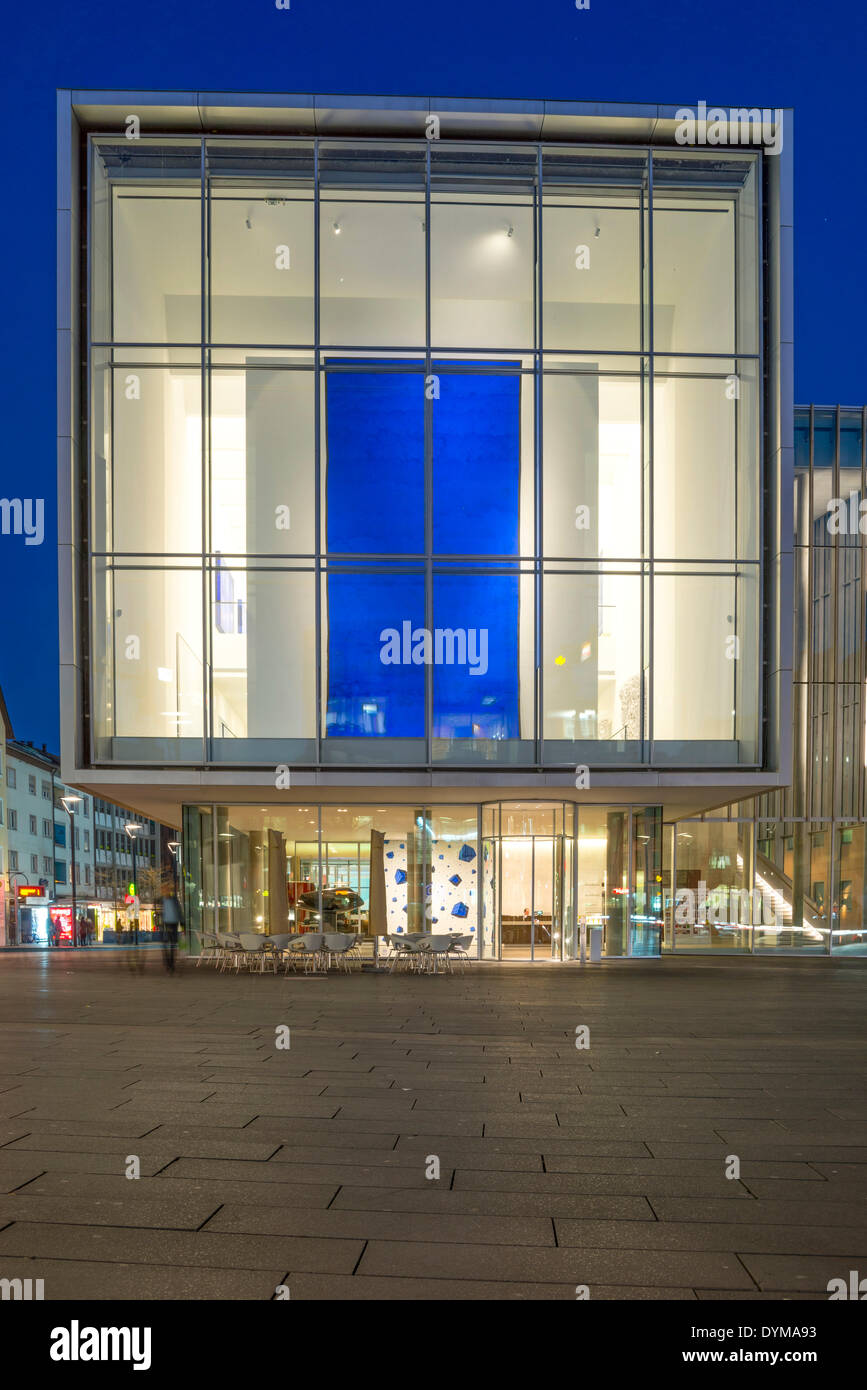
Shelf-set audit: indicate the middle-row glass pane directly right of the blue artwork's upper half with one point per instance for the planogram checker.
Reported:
(593, 466)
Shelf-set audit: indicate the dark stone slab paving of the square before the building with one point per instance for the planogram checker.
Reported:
(558, 1167)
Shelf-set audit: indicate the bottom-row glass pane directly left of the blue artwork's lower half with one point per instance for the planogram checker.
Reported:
(263, 664)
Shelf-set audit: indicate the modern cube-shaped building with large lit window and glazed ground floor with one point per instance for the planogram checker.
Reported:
(426, 496)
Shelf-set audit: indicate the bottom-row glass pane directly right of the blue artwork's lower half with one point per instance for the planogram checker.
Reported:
(591, 665)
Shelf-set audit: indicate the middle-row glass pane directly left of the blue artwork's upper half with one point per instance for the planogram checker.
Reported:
(263, 462)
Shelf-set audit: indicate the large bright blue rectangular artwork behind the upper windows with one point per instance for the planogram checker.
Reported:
(374, 487)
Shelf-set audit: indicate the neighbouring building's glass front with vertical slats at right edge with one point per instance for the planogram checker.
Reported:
(808, 883)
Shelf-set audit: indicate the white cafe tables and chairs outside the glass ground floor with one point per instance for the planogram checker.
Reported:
(320, 951)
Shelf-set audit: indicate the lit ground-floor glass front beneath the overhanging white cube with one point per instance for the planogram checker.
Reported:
(525, 881)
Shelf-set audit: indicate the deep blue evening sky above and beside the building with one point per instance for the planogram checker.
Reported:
(800, 54)
